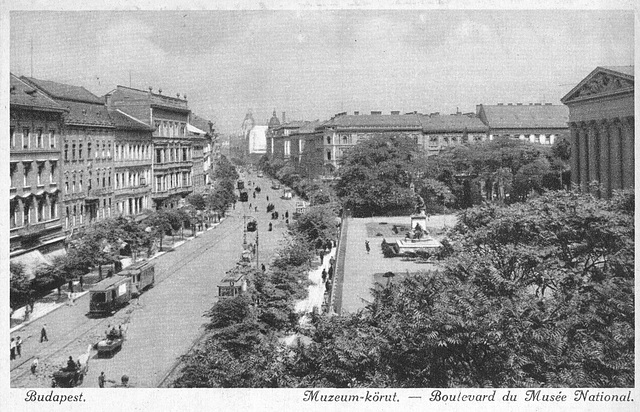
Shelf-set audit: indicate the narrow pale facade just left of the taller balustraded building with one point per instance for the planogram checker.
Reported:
(132, 160)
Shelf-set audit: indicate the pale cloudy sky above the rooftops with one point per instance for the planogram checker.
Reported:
(313, 64)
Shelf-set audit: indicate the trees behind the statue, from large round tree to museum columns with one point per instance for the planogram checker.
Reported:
(376, 175)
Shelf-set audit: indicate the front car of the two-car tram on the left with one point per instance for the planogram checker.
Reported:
(110, 295)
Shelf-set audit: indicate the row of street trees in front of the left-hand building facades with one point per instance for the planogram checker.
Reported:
(102, 243)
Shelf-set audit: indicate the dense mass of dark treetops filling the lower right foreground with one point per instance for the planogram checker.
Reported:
(535, 294)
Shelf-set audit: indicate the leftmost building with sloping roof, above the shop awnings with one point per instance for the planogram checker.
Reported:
(35, 126)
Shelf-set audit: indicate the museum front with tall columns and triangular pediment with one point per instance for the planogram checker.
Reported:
(602, 127)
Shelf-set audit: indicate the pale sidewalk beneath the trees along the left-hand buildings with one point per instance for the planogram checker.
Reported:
(53, 301)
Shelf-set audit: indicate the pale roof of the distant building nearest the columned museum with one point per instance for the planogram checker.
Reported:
(525, 116)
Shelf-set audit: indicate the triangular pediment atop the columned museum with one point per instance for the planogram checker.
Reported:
(601, 82)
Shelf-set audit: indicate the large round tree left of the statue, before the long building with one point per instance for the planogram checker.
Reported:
(375, 175)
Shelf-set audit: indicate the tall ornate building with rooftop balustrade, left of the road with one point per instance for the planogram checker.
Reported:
(172, 159)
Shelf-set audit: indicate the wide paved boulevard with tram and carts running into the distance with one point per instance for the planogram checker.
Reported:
(167, 319)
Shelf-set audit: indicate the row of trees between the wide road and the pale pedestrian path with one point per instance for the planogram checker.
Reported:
(244, 347)
